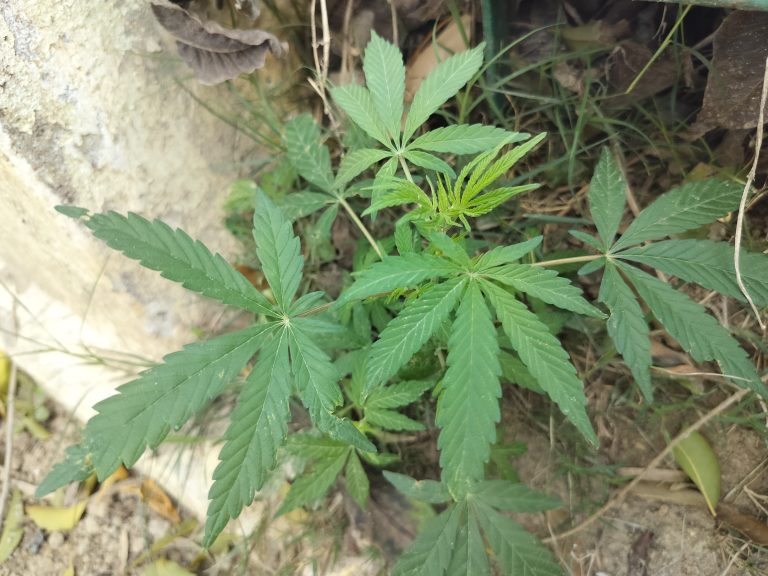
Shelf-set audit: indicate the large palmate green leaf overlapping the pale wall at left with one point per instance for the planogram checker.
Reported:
(163, 398)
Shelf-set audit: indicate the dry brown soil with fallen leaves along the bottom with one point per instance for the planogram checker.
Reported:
(120, 532)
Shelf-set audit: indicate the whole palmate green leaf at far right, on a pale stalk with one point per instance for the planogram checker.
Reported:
(703, 262)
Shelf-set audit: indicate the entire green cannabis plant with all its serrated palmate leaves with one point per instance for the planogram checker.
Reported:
(431, 311)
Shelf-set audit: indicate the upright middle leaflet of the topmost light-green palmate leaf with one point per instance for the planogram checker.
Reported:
(385, 76)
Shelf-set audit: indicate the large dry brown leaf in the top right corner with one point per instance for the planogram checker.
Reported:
(732, 95)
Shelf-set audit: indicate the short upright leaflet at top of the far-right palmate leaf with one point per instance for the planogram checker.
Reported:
(607, 197)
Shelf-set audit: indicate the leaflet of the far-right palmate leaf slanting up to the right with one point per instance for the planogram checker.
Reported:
(684, 208)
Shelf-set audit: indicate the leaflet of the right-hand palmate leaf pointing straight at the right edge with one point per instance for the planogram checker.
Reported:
(707, 263)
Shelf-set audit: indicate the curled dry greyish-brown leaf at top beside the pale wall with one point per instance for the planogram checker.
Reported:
(216, 53)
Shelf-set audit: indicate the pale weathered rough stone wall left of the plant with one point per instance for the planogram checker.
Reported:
(93, 112)
